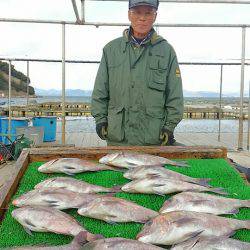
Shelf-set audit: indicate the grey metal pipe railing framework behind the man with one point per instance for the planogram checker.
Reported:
(81, 21)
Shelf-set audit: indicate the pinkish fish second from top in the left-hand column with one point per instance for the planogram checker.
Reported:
(75, 185)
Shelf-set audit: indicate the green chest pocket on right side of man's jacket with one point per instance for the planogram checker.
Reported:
(158, 71)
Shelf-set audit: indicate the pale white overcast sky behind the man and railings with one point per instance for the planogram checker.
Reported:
(23, 40)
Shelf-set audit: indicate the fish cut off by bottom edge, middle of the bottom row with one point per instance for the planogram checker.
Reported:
(118, 244)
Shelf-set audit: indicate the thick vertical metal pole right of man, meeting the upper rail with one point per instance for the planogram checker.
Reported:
(240, 136)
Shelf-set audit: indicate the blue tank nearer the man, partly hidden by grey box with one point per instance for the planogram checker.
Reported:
(49, 125)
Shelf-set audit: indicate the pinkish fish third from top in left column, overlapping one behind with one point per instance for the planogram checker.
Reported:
(58, 198)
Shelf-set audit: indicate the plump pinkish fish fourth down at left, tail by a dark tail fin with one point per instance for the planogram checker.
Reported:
(47, 219)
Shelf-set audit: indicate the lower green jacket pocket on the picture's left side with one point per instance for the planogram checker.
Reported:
(115, 124)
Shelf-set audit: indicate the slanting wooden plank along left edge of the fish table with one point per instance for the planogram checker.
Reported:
(10, 187)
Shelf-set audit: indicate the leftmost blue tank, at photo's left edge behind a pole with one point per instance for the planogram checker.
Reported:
(15, 122)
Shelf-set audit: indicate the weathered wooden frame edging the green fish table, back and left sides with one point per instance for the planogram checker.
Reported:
(44, 154)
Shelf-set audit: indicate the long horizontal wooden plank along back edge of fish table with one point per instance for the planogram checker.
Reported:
(172, 152)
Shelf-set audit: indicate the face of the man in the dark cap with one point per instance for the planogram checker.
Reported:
(142, 18)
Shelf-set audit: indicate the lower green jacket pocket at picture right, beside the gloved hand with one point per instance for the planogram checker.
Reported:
(154, 123)
